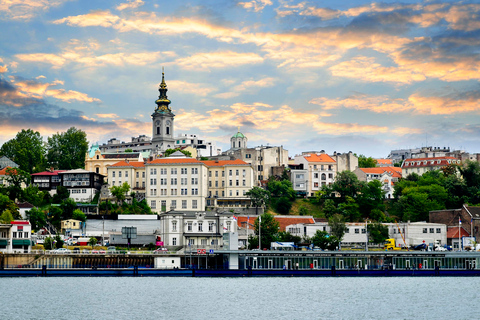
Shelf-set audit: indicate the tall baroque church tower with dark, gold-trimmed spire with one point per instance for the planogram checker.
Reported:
(162, 135)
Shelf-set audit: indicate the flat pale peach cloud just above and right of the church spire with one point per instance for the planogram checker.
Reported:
(226, 59)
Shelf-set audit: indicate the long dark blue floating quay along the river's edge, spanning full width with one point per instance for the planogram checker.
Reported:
(248, 264)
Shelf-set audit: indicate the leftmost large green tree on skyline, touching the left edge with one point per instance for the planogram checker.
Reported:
(27, 150)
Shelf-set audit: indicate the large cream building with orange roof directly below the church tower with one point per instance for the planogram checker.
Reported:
(176, 182)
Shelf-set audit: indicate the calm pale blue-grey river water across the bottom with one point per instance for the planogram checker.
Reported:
(239, 298)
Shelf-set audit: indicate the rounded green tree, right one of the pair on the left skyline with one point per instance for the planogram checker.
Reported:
(67, 150)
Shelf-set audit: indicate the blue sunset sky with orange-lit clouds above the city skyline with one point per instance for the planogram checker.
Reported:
(360, 76)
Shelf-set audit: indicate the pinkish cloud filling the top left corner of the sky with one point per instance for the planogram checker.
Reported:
(26, 9)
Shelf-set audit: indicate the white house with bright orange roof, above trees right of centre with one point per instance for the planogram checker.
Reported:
(321, 170)
